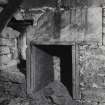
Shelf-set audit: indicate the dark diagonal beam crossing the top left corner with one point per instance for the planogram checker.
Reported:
(9, 9)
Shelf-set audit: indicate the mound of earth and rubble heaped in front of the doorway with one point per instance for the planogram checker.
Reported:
(53, 94)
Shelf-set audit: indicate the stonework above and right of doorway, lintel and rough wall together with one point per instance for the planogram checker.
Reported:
(84, 27)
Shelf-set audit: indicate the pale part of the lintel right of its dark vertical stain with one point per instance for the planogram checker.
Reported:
(89, 29)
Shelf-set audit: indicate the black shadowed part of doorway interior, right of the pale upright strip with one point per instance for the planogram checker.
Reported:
(64, 54)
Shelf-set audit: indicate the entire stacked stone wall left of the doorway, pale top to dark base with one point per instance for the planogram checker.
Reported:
(12, 81)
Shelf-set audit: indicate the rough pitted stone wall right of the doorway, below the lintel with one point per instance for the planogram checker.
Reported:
(92, 73)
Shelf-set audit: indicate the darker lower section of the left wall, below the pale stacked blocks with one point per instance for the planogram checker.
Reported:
(12, 85)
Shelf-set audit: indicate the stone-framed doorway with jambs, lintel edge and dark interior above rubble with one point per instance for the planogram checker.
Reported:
(43, 61)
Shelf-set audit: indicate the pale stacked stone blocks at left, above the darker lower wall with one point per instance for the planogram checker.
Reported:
(8, 46)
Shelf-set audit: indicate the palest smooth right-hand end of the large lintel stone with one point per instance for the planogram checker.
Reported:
(94, 25)
